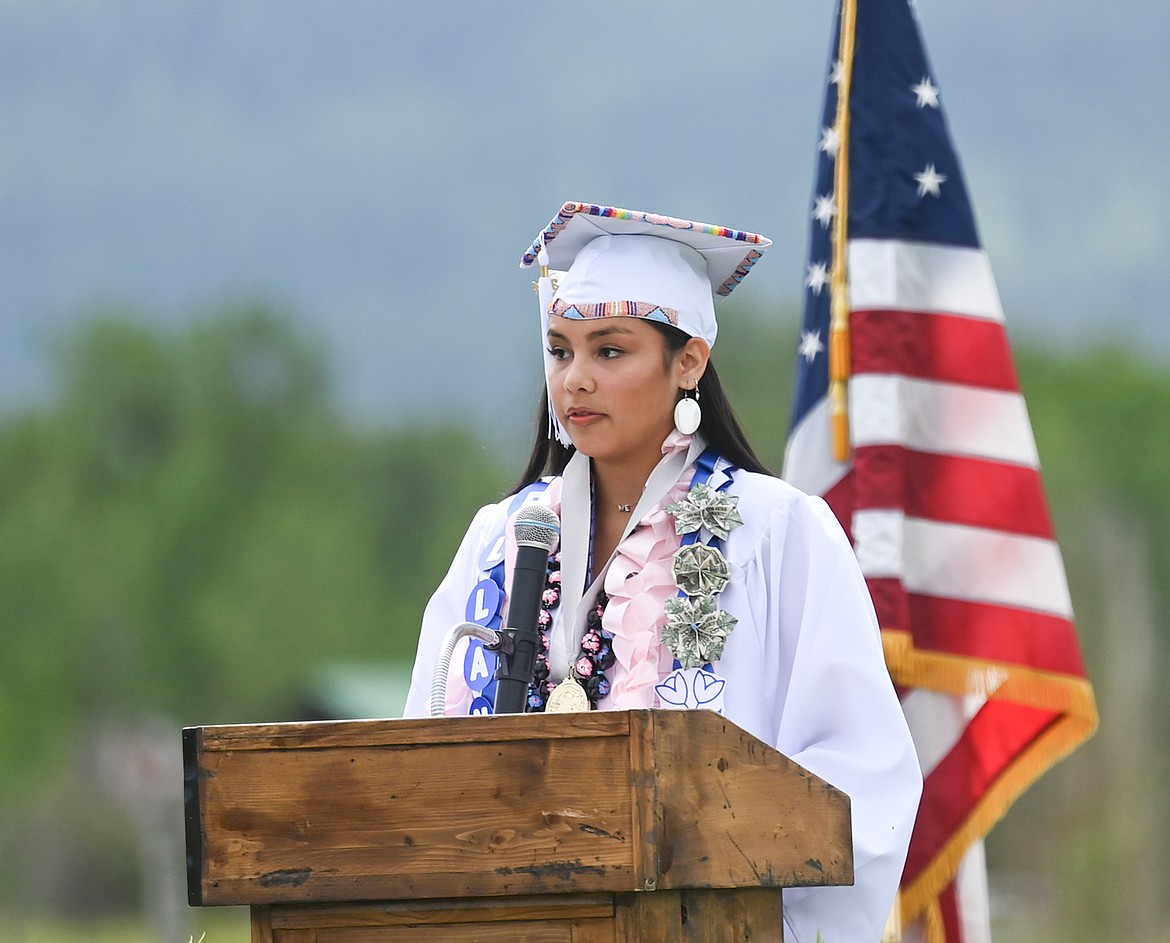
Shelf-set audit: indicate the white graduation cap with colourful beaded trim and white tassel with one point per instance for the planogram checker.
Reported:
(601, 261)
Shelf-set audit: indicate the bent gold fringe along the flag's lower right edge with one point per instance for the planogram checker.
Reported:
(1070, 697)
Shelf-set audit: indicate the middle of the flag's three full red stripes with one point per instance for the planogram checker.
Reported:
(956, 490)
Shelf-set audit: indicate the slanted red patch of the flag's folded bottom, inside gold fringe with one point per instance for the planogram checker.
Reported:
(989, 744)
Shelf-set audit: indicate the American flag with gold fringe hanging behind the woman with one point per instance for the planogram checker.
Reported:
(939, 485)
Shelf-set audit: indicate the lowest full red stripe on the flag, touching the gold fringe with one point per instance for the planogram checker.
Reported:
(983, 631)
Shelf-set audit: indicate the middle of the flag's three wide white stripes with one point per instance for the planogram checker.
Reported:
(942, 418)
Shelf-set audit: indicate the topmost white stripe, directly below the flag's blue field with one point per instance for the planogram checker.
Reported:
(918, 277)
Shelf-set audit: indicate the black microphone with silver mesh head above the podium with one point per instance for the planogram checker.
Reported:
(538, 531)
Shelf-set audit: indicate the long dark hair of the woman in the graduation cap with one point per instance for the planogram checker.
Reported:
(719, 426)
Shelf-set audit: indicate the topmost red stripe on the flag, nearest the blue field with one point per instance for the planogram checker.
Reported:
(933, 347)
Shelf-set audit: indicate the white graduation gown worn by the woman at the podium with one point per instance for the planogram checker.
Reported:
(804, 667)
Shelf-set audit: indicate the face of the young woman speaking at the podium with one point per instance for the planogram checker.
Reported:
(614, 387)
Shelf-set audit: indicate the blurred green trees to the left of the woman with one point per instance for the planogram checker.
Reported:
(190, 527)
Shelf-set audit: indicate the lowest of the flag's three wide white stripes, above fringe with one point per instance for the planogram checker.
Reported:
(960, 562)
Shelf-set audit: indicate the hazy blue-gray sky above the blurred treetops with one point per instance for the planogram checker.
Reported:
(380, 167)
